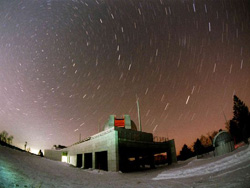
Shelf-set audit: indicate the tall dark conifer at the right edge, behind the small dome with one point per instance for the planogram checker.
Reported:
(239, 126)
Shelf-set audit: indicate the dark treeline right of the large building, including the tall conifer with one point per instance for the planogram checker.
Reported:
(238, 127)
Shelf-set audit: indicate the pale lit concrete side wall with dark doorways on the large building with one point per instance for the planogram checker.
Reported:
(104, 141)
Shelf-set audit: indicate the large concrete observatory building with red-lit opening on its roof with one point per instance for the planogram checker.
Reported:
(119, 147)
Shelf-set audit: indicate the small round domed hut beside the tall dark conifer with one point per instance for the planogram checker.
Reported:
(223, 143)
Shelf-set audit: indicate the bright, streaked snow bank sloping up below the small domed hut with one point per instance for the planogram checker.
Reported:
(209, 168)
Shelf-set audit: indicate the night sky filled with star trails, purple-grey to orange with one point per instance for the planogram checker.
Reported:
(66, 65)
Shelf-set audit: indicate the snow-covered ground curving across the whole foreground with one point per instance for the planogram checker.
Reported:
(20, 169)
